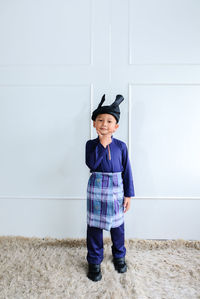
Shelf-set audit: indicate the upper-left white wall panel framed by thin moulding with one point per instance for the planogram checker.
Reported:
(45, 32)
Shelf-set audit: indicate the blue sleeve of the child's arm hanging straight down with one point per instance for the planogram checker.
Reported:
(127, 174)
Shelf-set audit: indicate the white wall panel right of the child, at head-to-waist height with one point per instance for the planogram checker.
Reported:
(164, 140)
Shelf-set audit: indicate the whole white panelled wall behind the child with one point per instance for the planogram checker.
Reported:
(57, 58)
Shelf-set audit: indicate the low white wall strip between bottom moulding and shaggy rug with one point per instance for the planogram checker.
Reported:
(66, 218)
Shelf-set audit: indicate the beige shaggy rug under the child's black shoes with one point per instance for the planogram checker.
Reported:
(57, 268)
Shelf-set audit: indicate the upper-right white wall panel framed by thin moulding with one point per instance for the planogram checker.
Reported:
(164, 32)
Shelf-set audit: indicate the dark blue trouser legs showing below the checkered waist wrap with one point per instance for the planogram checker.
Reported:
(95, 243)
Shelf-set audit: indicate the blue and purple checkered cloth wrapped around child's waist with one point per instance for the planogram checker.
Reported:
(105, 198)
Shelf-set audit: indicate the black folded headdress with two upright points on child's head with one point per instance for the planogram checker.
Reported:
(113, 109)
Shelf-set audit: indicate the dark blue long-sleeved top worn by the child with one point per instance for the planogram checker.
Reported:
(97, 159)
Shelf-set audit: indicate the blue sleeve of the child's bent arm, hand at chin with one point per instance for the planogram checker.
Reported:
(94, 153)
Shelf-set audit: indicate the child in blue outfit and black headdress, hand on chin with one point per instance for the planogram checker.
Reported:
(109, 189)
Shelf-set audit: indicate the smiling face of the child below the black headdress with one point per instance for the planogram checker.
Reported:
(105, 123)
